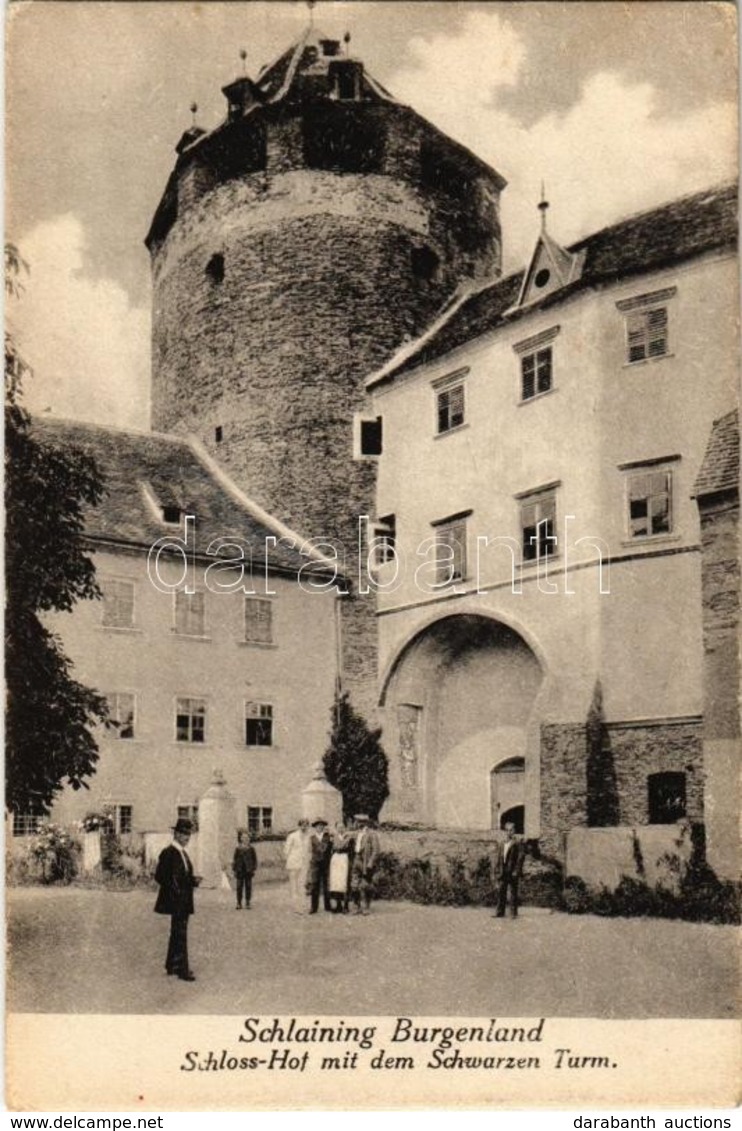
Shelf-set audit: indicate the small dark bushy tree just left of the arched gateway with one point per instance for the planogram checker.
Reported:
(356, 763)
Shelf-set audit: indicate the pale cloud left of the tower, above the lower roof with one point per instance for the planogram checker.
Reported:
(88, 347)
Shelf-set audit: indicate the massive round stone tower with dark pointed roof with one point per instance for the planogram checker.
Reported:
(296, 248)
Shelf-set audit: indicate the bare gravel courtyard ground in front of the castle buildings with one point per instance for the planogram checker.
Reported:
(91, 952)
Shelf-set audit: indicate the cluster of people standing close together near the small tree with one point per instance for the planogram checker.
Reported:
(333, 868)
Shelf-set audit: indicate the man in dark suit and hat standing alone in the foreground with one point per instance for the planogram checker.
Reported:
(175, 875)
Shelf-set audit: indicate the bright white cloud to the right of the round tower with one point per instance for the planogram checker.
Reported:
(611, 154)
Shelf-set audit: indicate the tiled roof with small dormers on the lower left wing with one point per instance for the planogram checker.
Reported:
(143, 472)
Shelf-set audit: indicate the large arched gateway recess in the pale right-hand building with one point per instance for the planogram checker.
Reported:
(462, 728)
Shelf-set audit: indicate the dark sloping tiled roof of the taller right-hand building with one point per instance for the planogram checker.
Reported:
(687, 228)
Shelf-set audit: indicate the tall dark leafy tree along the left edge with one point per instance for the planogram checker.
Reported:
(49, 714)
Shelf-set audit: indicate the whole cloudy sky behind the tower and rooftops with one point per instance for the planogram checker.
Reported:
(617, 107)
